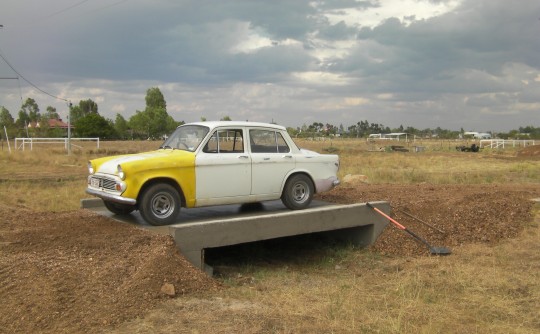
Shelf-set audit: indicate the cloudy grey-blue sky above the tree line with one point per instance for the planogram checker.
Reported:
(471, 64)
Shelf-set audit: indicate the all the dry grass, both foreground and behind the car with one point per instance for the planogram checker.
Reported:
(479, 289)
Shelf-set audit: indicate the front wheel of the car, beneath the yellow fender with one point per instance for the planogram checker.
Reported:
(160, 204)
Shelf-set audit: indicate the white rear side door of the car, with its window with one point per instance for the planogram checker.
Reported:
(272, 160)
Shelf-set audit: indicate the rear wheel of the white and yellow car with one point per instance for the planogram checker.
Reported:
(298, 192)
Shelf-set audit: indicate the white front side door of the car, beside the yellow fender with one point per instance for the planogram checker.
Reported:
(223, 168)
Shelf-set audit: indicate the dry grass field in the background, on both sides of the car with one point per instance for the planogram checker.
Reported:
(56, 181)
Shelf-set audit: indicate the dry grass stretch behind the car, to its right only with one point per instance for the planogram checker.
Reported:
(439, 163)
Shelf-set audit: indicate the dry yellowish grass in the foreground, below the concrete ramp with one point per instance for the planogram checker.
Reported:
(479, 289)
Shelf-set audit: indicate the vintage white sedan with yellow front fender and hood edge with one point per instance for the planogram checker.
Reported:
(212, 163)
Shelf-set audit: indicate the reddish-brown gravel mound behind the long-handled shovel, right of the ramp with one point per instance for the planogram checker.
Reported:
(467, 214)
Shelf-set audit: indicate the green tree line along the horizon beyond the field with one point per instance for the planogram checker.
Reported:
(154, 123)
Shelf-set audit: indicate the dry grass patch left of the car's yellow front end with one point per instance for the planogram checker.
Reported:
(48, 179)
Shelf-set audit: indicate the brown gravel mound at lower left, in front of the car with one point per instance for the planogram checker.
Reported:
(78, 271)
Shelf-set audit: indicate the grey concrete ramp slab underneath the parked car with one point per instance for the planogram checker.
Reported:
(354, 223)
